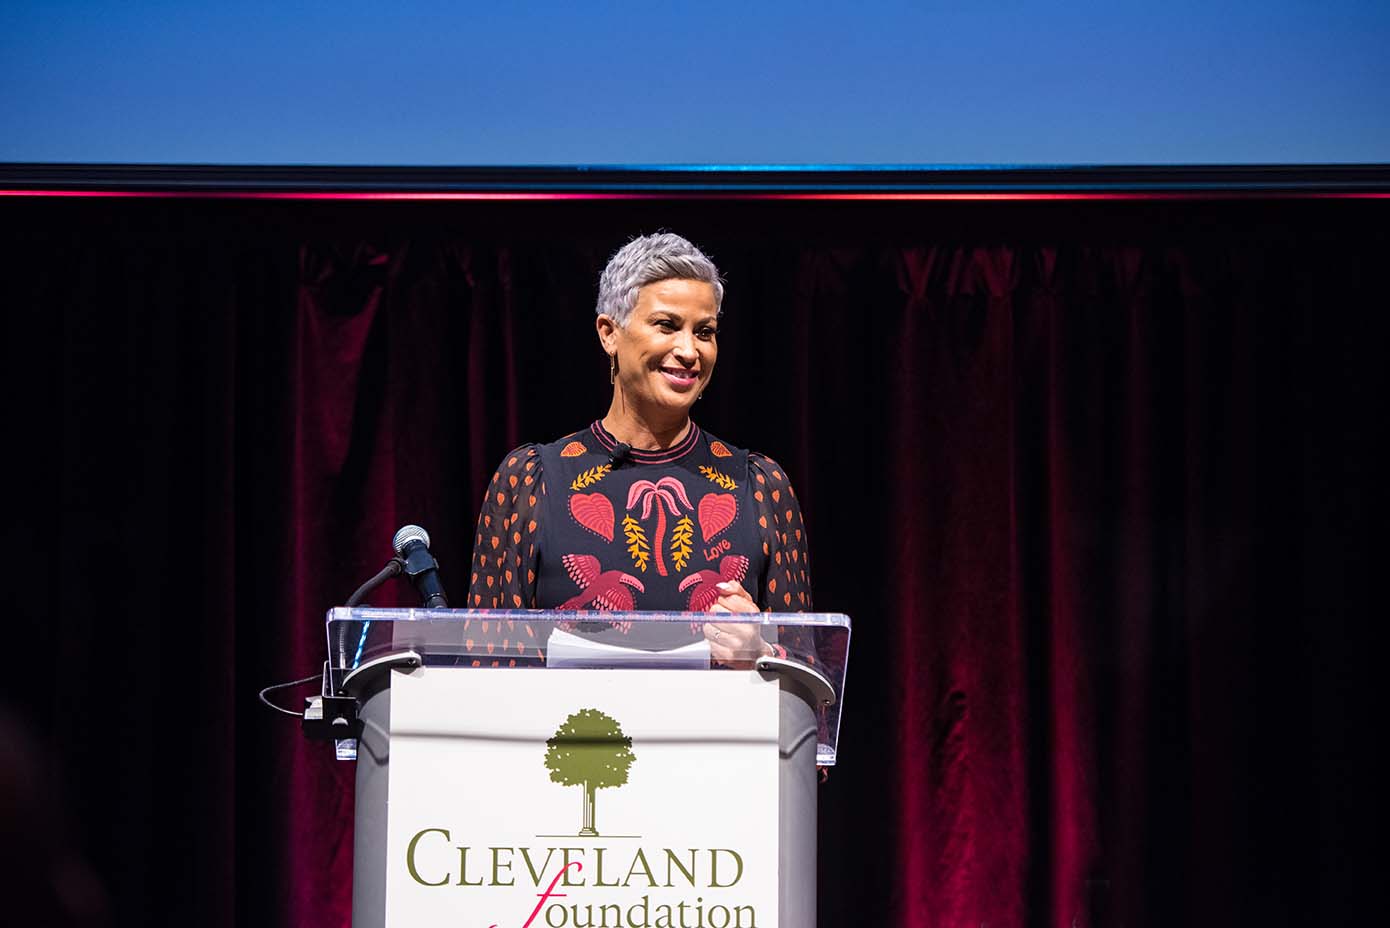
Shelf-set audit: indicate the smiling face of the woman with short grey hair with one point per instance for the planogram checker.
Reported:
(667, 354)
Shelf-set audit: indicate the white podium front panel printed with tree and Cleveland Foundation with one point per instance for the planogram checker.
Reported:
(625, 799)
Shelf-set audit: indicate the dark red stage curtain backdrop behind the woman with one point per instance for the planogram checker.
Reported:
(1095, 481)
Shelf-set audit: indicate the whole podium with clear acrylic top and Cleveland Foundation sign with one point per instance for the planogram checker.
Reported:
(522, 769)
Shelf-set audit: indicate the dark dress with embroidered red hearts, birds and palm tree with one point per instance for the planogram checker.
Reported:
(571, 526)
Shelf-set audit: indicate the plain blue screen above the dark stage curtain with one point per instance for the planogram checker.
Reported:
(736, 85)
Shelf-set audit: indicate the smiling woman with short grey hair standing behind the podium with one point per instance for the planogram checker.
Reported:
(644, 511)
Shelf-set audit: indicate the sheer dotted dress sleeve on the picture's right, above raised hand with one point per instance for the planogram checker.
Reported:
(786, 588)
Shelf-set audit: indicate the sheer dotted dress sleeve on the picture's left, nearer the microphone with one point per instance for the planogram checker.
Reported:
(504, 549)
